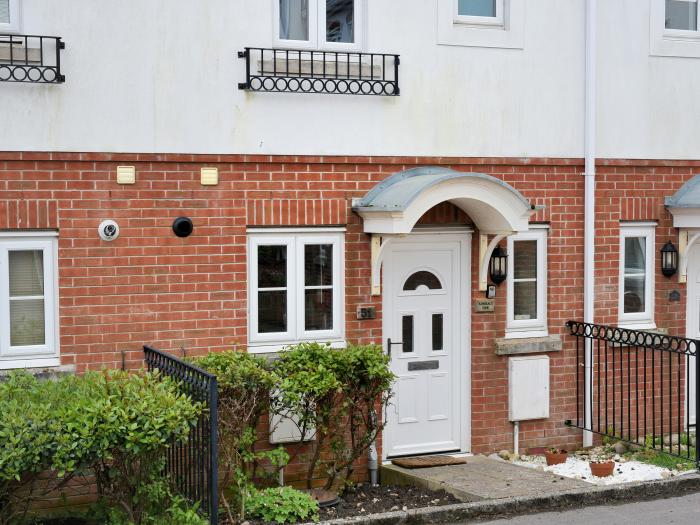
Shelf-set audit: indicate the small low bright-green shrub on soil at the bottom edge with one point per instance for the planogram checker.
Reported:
(282, 505)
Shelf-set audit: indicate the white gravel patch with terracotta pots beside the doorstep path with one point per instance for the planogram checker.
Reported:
(578, 469)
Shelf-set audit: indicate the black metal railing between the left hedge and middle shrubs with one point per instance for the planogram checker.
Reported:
(192, 465)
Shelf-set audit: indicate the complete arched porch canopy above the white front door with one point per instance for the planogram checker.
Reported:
(395, 205)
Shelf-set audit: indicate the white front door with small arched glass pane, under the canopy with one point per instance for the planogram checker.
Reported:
(426, 319)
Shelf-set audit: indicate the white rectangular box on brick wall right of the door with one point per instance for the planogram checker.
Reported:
(528, 388)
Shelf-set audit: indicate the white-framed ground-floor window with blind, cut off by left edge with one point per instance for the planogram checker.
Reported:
(28, 301)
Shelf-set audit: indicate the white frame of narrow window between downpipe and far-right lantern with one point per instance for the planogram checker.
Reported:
(641, 320)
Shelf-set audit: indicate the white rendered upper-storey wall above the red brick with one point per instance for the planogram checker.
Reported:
(161, 76)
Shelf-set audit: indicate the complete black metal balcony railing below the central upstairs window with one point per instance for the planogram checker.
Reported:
(343, 73)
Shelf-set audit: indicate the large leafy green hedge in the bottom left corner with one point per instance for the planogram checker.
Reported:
(114, 424)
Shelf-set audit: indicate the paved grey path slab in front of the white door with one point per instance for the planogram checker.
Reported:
(482, 478)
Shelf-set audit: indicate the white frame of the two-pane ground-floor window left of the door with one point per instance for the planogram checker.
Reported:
(295, 240)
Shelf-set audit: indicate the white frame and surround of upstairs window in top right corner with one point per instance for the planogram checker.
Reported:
(671, 42)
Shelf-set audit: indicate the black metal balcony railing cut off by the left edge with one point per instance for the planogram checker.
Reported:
(31, 58)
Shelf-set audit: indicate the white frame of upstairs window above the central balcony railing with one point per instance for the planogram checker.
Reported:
(317, 29)
